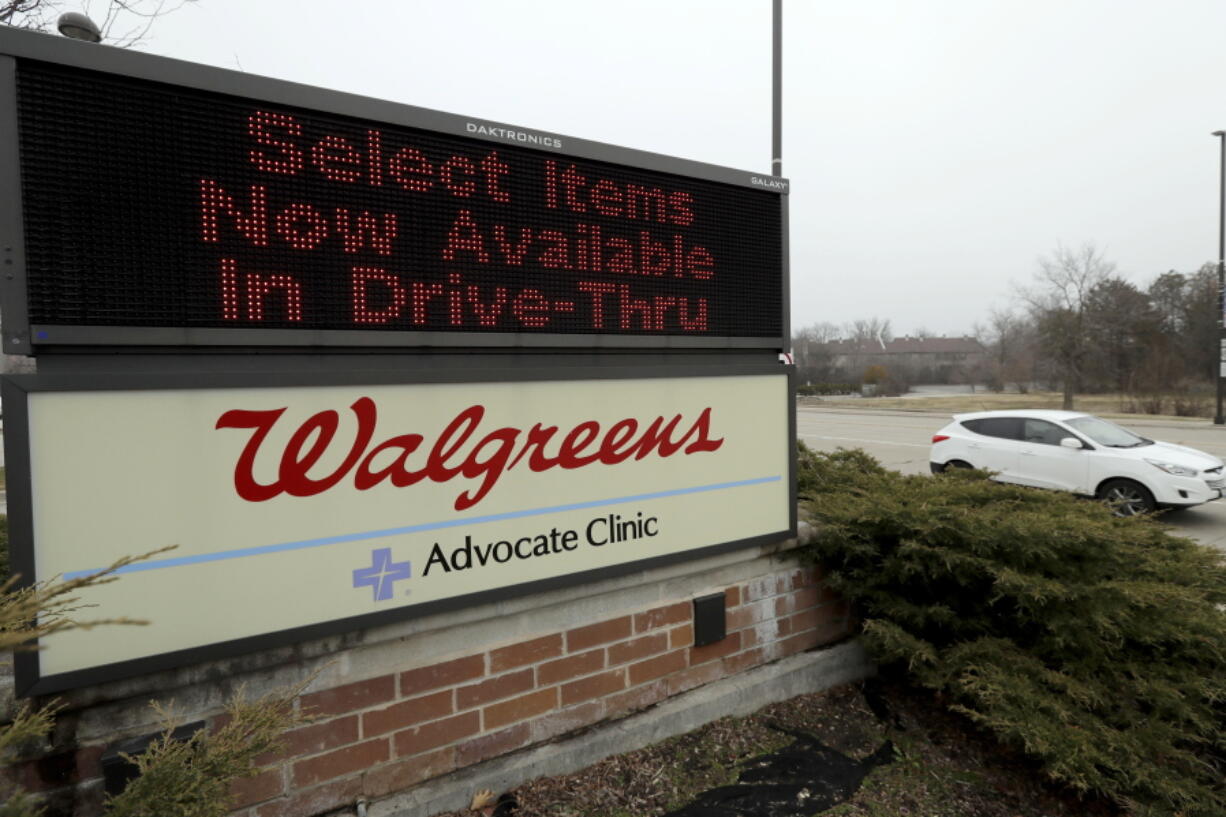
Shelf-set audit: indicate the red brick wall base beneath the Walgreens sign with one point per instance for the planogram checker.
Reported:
(387, 734)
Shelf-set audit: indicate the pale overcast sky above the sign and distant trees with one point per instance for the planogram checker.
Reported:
(936, 148)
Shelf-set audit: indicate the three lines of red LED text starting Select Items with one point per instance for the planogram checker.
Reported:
(577, 251)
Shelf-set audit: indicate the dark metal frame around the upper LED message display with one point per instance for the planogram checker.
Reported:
(24, 338)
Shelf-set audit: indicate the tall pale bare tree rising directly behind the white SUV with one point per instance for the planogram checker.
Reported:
(1059, 301)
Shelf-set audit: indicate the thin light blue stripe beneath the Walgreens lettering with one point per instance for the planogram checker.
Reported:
(156, 565)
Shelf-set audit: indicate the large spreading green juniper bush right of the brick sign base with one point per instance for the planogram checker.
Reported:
(1097, 645)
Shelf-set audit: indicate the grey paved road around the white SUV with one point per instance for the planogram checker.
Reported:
(902, 440)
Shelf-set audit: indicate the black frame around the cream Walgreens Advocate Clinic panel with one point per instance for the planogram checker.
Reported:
(17, 392)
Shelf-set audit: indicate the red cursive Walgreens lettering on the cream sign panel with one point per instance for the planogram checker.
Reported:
(465, 448)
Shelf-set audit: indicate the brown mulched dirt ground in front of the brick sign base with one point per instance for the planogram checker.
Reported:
(940, 765)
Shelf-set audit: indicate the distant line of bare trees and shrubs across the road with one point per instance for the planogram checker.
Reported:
(1079, 328)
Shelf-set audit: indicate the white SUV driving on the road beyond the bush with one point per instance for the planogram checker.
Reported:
(1068, 451)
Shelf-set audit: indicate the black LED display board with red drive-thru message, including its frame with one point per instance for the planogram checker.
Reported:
(169, 204)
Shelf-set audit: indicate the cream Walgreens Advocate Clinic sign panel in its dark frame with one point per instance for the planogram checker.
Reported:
(303, 511)
